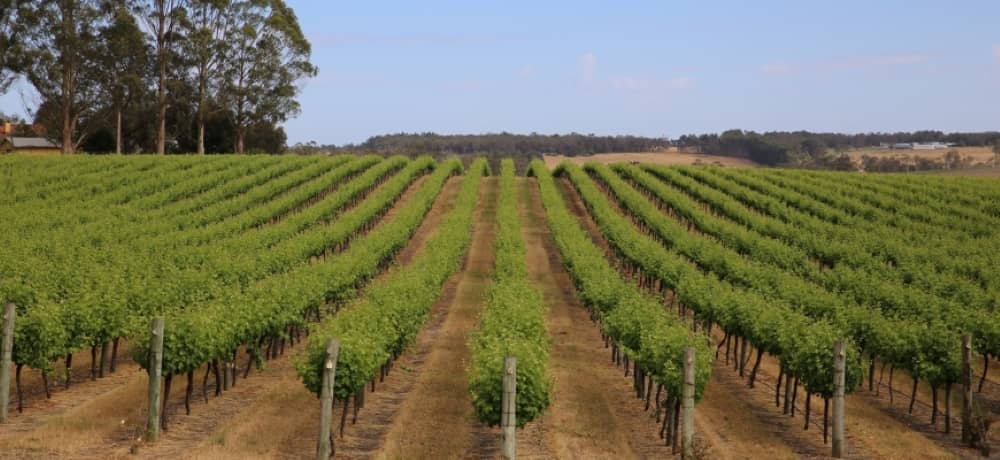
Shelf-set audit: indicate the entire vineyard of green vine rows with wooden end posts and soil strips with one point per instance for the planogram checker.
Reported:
(394, 307)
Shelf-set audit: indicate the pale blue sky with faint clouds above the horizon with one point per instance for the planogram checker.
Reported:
(653, 68)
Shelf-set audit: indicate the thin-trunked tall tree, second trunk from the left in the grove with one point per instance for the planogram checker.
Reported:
(123, 61)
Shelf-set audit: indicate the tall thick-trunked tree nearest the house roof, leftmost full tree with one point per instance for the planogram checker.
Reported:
(58, 60)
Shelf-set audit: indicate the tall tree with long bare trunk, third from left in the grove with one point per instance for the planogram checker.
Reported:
(163, 19)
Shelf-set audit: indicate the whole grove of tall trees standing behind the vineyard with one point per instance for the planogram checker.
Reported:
(157, 75)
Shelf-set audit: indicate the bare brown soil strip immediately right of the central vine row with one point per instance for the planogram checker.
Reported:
(594, 413)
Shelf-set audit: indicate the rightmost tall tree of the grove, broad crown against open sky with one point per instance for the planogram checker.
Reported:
(269, 56)
